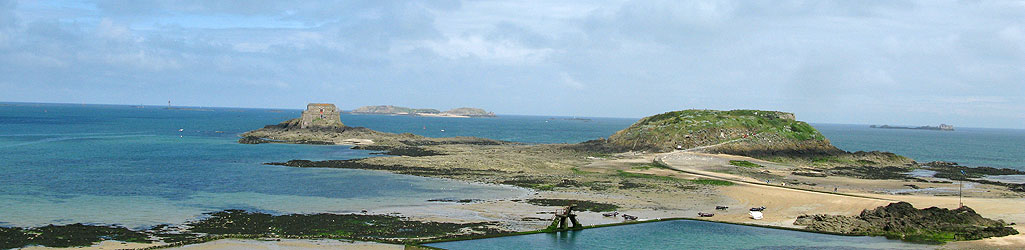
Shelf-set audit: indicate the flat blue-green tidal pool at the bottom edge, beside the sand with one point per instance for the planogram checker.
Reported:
(681, 235)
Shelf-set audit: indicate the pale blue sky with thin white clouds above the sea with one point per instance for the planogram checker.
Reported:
(907, 63)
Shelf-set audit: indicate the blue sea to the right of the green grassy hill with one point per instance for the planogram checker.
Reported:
(969, 147)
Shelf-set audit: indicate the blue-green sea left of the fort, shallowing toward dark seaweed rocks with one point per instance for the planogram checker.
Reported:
(116, 164)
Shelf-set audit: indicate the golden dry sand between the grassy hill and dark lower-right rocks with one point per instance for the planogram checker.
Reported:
(785, 204)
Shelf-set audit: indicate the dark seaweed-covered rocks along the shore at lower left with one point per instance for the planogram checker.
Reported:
(247, 225)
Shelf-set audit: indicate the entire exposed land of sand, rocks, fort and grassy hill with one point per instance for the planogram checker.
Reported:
(693, 164)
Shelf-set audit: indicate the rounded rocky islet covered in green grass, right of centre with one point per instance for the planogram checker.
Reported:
(765, 135)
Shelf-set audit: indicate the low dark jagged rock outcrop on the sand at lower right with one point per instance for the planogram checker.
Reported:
(903, 221)
